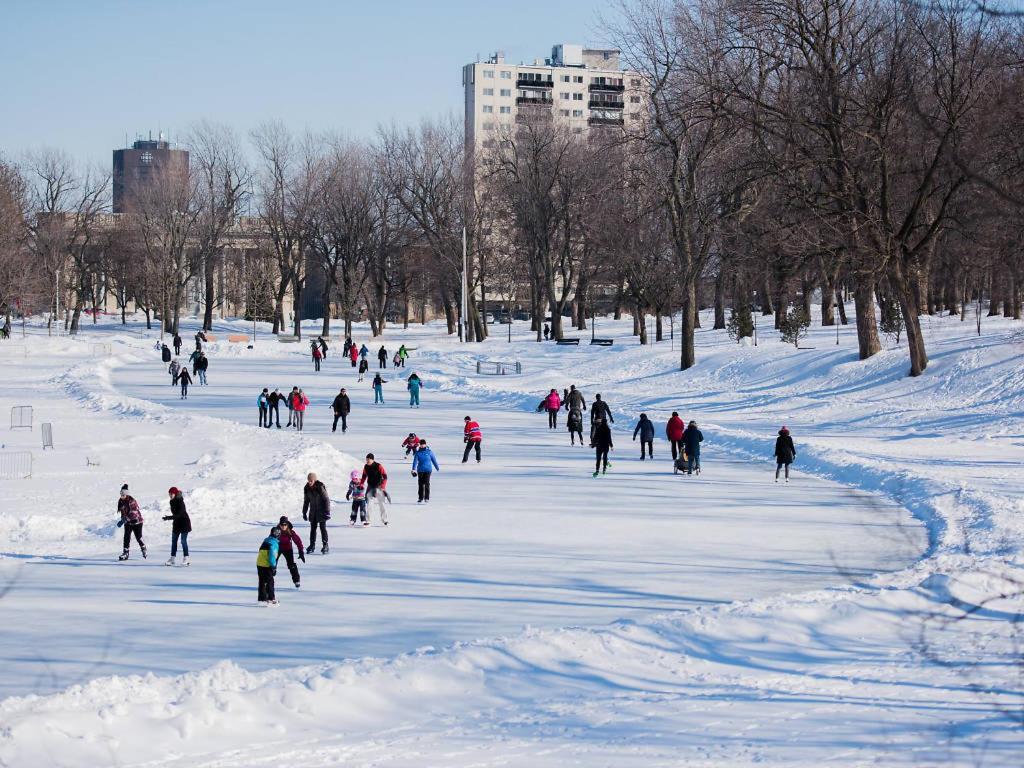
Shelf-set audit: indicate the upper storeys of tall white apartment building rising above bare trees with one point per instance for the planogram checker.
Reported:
(586, 88)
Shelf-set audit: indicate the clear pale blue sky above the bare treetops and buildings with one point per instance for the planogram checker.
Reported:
(81, 74)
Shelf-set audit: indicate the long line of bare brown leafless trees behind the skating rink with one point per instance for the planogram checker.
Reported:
(785, 151)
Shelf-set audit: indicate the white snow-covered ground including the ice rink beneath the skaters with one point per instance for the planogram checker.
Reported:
(531, 615)
